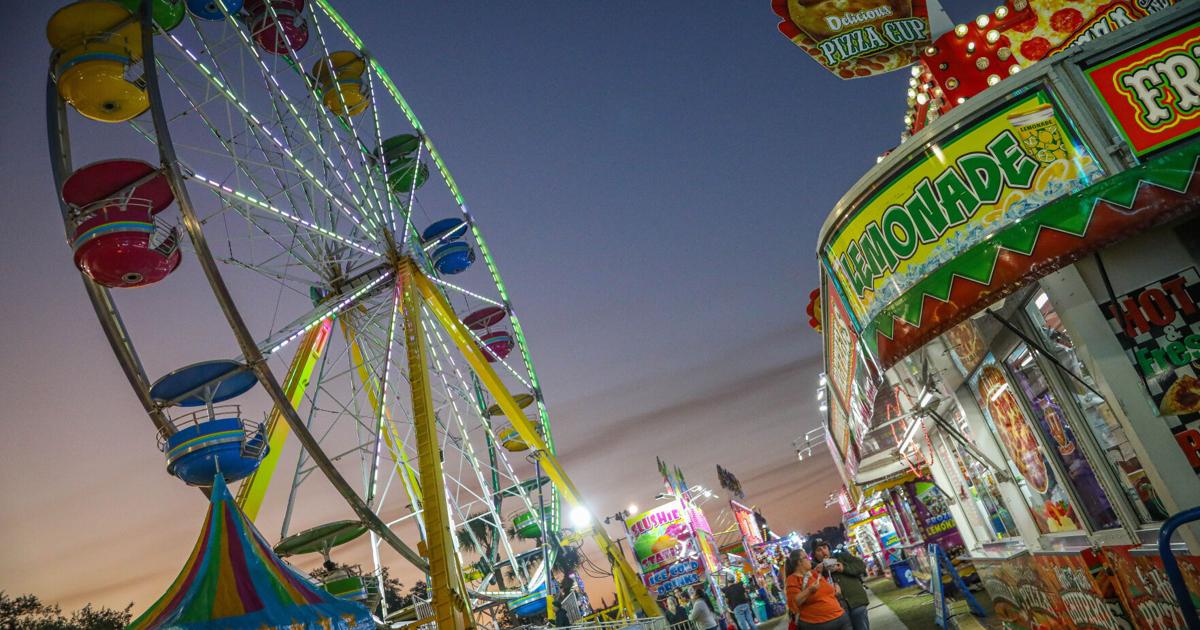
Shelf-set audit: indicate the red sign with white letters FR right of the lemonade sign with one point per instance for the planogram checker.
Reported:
(1137, 89)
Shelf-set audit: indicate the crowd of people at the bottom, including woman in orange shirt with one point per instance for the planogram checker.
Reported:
(824, 592)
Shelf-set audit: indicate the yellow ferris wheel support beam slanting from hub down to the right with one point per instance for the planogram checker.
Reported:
(625, 574)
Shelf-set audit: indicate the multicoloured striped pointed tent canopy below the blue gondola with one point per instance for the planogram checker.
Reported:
(235, 580)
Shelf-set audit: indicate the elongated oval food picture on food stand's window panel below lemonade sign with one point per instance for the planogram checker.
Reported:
(1013, 428)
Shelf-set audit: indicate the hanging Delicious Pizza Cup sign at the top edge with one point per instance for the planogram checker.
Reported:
(859, 39)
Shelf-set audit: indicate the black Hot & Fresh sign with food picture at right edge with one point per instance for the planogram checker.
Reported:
(1159, 326)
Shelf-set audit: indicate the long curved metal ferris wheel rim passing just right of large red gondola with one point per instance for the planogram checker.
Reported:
(242, 333)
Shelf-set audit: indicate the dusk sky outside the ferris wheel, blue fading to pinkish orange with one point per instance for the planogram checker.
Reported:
(651, 178)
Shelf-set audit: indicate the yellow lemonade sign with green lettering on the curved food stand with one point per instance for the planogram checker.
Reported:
(953, 196)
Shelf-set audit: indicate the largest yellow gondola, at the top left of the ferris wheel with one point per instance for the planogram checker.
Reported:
(95, 43)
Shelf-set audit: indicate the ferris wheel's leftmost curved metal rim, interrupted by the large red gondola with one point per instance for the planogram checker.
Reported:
(101, 299)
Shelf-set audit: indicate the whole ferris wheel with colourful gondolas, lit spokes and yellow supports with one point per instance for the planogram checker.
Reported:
(266, 146)
